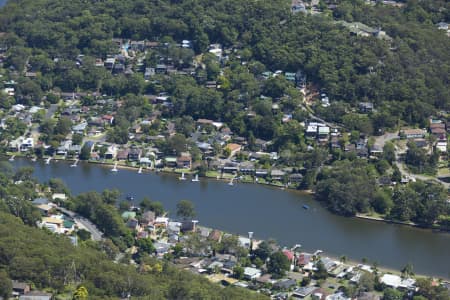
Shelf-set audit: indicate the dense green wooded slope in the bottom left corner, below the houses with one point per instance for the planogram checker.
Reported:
(53, 262)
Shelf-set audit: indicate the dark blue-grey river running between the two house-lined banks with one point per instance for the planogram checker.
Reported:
(269, 213)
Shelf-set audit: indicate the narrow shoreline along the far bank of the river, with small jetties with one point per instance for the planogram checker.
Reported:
(189, 172)
